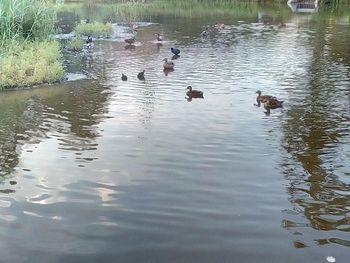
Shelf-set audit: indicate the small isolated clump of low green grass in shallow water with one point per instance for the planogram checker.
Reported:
(94, 29)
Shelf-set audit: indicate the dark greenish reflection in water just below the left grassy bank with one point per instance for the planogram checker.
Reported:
(72, 113)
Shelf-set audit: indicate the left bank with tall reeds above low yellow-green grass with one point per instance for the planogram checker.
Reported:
(27, 57)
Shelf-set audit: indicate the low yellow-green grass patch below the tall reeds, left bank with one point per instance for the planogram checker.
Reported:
(30, 63)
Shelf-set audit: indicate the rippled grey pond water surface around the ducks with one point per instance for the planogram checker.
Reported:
(101, 170)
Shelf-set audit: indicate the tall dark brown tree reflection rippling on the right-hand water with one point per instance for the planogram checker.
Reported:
(315, 134)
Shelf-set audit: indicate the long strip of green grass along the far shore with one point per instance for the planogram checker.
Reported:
(144, 11)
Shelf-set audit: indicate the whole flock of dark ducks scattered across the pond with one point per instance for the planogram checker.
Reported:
(269, 102)
